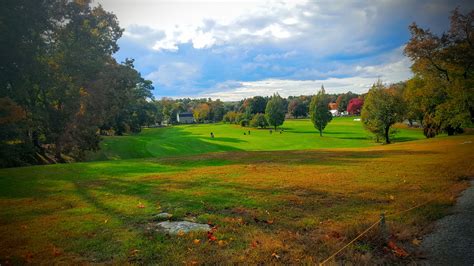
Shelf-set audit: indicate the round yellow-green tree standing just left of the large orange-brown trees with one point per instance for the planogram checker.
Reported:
(382, 108)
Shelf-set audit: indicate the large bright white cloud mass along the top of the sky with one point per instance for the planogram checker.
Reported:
(322, 27)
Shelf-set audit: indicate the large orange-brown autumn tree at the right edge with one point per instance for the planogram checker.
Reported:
(444, 75)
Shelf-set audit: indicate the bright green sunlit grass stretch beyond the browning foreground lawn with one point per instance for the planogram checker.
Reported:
(342, 132)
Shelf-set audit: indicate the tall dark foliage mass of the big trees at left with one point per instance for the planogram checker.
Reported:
(57, 66)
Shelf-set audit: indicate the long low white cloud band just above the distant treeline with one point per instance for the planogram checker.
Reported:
(360, 80)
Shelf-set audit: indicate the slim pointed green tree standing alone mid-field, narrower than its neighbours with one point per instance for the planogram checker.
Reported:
(319, 111)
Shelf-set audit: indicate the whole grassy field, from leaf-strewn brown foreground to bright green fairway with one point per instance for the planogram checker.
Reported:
(289, 198)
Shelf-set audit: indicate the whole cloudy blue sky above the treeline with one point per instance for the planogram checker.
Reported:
(231, 50)
